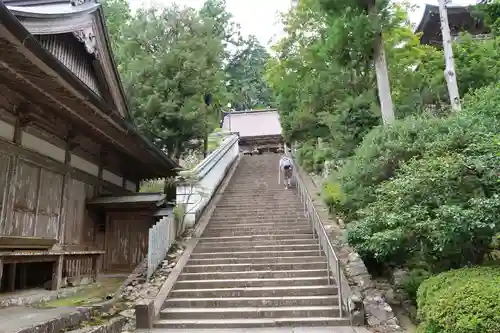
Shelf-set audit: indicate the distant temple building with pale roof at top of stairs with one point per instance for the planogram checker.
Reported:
(257, 129)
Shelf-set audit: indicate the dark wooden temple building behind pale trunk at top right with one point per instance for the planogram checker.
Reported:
(461, 19)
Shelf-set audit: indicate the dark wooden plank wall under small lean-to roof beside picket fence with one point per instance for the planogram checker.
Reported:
(126, 240)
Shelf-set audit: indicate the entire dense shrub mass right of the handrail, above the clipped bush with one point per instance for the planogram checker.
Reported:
(426, 190)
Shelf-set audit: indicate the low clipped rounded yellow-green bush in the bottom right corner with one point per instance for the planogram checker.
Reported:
(461, 301)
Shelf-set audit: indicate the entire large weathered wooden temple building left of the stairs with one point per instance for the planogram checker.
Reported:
(66, 142)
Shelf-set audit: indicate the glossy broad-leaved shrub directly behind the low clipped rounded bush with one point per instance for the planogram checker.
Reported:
(439, 209)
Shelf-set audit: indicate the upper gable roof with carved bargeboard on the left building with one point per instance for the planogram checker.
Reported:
(83, 18)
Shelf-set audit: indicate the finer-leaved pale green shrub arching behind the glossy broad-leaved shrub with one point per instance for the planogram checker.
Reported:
(383, 151)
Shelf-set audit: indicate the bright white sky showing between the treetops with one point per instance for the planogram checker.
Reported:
(260, 17)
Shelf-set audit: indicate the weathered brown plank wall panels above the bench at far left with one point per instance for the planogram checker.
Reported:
(35, 203)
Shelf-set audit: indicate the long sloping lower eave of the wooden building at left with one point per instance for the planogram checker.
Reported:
(41, 76)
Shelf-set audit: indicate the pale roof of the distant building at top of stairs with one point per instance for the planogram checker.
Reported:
(253, 123)
